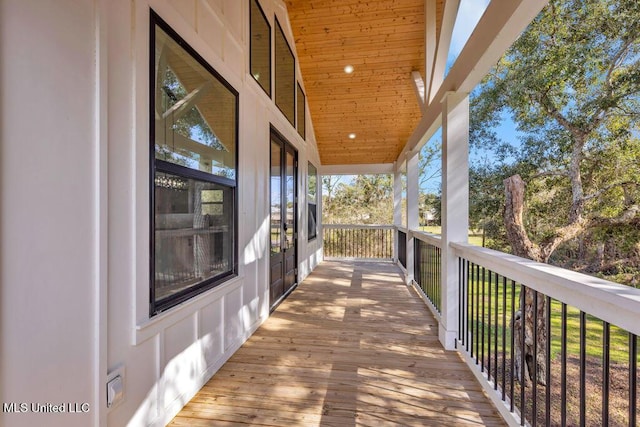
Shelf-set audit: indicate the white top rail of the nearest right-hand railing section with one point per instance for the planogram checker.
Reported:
(609, 301)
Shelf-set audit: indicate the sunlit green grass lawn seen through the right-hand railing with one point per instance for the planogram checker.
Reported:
(490, 343)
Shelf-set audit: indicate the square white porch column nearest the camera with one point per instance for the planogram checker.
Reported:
(455, 205)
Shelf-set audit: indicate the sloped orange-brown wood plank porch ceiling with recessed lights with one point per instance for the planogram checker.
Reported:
(384, 41)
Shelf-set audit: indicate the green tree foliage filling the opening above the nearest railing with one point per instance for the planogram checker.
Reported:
(571, 83)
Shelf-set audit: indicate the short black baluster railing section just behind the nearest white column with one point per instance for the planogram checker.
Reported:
(427, 271)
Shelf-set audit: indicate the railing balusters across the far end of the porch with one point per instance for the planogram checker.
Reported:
(358, 241)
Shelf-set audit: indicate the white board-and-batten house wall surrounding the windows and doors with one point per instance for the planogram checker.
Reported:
(74, 229)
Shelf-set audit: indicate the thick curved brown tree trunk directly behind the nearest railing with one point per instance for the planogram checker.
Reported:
(524, 323)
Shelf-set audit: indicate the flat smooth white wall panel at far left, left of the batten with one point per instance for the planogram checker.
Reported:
(48, 219)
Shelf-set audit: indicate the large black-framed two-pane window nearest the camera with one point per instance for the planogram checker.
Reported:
(194, 140)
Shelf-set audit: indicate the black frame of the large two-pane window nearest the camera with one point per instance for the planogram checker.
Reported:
(157, 165)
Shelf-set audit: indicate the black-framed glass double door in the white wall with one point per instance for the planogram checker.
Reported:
(284, 227)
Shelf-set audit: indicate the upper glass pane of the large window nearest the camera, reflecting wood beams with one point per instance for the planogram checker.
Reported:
(195, 112)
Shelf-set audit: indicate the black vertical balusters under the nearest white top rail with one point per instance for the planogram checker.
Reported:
(549, 362)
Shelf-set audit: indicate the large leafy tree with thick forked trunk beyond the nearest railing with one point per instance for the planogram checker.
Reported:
(571, 82)
